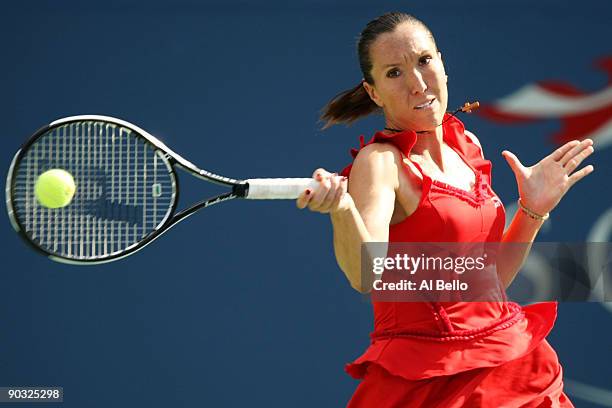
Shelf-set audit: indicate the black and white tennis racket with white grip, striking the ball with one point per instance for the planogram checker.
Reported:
(127, 189)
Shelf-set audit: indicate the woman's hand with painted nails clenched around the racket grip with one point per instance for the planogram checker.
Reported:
(330, 196)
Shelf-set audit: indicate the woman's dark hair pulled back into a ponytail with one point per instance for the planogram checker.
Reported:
(352, 104)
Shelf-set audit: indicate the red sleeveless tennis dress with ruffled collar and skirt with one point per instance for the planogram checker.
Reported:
(462, 354)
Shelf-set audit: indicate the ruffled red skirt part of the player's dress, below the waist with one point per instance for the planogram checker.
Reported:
(510, 367)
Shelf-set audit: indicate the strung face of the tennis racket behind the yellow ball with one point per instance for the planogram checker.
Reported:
(124, 190)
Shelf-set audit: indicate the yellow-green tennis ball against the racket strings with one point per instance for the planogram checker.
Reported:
(54, 188)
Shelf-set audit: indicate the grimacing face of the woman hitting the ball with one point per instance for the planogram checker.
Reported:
(409, 78)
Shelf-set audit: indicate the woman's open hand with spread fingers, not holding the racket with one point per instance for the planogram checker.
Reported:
(542, 185)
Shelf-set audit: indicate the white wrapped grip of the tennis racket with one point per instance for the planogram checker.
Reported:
(277, 188)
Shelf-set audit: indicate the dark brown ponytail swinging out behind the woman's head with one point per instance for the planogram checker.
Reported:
(347, 107)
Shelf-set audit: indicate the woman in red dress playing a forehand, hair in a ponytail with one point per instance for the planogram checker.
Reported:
(424, 179)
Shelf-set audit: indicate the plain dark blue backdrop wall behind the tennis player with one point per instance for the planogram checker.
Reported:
(243, 305)
